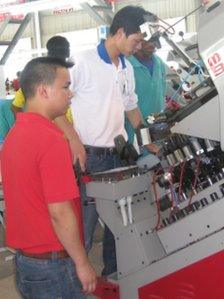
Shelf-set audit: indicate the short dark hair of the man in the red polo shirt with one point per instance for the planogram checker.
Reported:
(40, 70)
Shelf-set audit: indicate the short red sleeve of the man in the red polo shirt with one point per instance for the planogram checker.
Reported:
(57, 175)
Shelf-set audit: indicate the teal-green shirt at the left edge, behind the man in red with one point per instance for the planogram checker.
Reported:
(6, 117)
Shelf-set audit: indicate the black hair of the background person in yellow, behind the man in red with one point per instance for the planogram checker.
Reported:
(58, 46)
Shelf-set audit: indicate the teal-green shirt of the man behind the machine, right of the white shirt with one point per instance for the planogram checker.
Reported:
(150, 89)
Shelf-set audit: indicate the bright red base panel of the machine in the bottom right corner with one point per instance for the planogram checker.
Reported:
(201, 280)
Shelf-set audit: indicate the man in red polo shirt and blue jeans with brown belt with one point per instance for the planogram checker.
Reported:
(41, 195)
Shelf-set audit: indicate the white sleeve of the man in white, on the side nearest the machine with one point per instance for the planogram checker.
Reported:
(131, 98)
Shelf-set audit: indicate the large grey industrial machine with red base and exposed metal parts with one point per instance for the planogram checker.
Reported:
(168, 222)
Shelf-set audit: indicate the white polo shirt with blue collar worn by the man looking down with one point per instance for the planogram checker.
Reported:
(102, 93)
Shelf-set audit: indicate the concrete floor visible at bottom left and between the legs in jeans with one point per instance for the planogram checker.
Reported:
(7, 281)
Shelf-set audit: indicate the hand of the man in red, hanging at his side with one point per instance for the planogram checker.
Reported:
(87, 277)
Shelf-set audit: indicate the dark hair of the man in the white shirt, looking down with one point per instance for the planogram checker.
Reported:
(129, 18)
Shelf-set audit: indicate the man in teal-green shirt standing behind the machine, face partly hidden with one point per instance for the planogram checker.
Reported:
(150, 82)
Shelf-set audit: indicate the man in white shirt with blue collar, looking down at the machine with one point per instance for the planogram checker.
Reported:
(103, 86)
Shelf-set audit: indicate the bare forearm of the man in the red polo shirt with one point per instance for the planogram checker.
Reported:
(67, 230)
